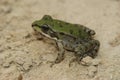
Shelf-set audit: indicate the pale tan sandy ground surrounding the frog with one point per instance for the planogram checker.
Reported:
(23, 57)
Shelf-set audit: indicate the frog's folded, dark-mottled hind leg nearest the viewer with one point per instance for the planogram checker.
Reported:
(88, 49)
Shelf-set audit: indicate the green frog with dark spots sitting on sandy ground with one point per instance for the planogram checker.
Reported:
(76, 38)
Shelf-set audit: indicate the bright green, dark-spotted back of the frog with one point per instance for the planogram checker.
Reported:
(76, 30)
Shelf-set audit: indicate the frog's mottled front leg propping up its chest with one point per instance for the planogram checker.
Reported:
(61, 53)
